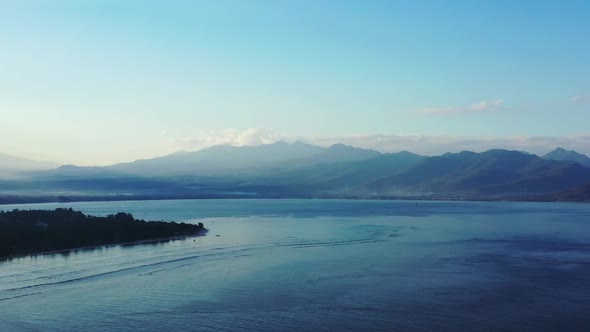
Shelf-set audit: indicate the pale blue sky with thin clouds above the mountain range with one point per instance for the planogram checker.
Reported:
(99, 82)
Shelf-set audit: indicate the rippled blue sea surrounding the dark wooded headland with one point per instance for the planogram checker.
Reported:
(317, 265)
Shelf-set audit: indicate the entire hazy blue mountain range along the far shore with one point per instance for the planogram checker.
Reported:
(285, 170)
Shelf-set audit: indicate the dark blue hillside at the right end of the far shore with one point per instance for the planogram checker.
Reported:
(490, 173)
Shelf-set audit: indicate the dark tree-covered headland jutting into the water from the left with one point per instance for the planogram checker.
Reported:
(33, 231)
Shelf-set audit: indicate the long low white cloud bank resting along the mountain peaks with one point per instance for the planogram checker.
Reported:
(421, 144)
